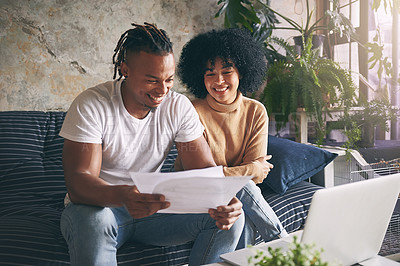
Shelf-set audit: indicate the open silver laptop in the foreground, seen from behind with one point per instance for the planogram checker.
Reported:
(348, 221)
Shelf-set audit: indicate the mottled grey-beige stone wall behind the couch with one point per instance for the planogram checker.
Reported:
(51, 50)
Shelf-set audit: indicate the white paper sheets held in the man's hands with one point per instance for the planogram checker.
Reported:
(193, 191)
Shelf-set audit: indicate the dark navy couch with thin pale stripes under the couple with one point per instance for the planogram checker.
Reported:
(32, 191)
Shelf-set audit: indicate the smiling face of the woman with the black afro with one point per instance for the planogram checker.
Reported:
(222, 80)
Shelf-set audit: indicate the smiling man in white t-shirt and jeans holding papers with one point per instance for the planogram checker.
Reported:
(129, 125)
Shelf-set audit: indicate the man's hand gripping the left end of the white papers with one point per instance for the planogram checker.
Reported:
(141, 205)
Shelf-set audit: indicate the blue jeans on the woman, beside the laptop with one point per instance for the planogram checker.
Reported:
(259, 216)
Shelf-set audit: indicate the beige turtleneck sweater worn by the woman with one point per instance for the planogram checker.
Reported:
(236, 134)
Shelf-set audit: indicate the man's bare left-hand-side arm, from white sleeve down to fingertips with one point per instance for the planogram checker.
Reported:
(82, 163)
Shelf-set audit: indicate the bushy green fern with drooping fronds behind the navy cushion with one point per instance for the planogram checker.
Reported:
(307, 81)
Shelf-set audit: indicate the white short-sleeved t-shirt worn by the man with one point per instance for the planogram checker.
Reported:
(98, 115)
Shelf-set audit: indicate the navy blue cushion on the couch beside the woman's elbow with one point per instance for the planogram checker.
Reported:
(293, 162)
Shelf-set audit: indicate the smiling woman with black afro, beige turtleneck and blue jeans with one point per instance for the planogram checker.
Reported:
(217, 67)
